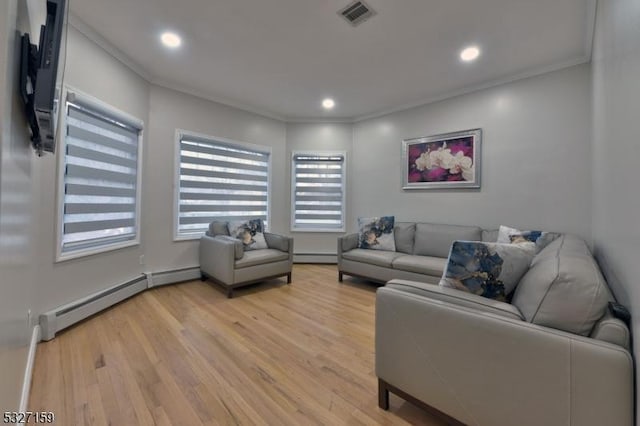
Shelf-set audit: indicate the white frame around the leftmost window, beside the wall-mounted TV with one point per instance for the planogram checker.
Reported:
(72, 94)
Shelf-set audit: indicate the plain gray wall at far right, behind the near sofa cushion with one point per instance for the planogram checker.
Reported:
(616, 150)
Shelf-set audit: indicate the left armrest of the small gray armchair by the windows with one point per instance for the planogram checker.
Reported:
(217, 258)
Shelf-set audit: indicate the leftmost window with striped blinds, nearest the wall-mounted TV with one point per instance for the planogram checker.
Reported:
(100, 183)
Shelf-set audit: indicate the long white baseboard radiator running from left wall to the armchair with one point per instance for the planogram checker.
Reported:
(64, 316)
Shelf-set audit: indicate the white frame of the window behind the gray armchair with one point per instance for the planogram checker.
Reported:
(188, 236)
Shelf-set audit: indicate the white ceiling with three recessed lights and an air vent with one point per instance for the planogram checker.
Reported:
(282, 57)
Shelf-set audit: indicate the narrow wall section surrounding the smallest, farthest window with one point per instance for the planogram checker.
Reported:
(318, 137)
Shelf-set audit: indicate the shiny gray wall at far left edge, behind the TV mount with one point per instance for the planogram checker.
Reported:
(17, 169)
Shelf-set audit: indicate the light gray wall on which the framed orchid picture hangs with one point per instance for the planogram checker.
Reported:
(536, 157)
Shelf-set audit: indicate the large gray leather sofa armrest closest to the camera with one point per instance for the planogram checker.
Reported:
(484, 369)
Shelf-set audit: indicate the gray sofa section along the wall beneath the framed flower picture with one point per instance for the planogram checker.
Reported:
(421, 252)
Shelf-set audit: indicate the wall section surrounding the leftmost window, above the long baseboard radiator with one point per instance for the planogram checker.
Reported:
(93, 71)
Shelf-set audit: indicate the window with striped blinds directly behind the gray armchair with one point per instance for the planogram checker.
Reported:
(219, 180)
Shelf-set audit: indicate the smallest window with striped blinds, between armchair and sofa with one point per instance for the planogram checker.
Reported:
(318, 187)
